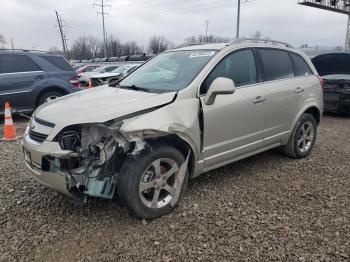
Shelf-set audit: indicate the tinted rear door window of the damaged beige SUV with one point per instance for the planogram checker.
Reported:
(277, 64)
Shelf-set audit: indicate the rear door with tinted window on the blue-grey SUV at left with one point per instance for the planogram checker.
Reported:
(18, 77)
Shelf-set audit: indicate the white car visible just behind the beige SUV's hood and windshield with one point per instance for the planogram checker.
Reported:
(116, 74)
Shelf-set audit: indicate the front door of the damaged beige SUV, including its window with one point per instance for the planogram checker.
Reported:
(234, 124)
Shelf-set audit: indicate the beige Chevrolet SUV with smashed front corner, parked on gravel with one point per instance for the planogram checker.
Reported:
(183, 113)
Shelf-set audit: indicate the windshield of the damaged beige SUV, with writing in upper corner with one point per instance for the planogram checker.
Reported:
(171, 71)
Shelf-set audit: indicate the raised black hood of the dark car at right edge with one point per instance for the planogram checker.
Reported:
(332, 64)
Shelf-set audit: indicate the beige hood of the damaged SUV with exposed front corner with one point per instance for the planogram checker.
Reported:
(99, 105)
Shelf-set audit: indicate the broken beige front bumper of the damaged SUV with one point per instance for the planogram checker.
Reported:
(33, 155)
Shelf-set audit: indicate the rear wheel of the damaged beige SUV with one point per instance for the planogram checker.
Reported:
(303, 138)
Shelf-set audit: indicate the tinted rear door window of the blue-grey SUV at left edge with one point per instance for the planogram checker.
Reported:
(18, 63)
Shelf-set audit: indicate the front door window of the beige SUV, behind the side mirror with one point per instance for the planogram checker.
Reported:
(238, 66)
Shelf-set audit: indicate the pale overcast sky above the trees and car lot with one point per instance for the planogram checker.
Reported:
(33, 23)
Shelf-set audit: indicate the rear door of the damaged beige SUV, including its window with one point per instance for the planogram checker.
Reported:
(285, 92)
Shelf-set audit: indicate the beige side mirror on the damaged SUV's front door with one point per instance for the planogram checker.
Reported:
(220, 86)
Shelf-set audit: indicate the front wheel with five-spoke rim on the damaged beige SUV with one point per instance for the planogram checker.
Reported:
(140, 170)
